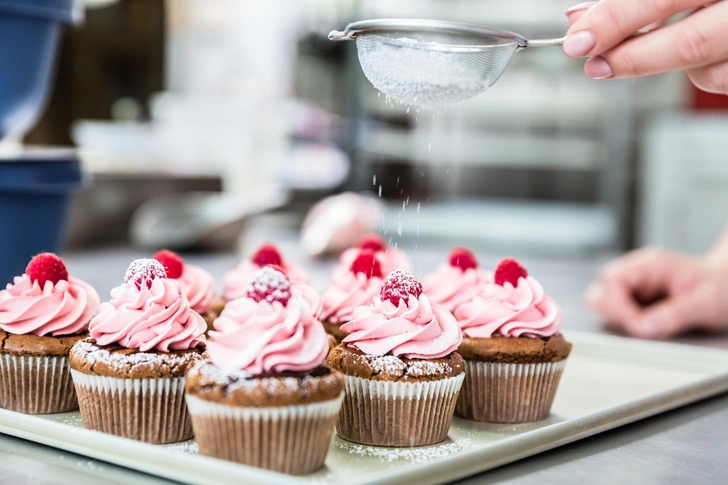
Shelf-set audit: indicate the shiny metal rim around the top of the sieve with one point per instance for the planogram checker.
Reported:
(419, 25)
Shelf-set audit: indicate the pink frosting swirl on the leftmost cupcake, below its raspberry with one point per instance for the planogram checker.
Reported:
(61, 309)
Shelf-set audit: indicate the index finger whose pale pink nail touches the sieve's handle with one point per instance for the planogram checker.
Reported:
(610, 22)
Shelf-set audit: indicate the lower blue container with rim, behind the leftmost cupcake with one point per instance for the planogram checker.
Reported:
(35, 191)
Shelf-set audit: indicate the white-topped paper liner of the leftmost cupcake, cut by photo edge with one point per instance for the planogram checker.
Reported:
(36, 384)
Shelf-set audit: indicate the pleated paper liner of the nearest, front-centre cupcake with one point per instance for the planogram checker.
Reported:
(287, 439)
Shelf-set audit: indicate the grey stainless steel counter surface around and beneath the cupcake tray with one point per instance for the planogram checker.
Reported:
(687, 445)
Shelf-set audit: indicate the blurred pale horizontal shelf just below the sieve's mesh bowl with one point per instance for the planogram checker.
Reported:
(483, 149)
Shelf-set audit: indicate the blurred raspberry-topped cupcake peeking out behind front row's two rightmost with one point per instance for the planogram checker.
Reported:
(456, 282)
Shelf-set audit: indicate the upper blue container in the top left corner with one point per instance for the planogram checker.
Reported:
(29, 33)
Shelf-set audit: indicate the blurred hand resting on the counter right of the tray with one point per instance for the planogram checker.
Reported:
(691, 293)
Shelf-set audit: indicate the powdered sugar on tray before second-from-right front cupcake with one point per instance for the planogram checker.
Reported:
(423, 454)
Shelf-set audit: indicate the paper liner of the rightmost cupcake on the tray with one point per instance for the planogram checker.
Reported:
(508, 393)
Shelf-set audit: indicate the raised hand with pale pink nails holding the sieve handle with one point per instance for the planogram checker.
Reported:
(697, 44)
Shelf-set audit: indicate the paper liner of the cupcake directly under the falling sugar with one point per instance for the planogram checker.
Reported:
(398, 413)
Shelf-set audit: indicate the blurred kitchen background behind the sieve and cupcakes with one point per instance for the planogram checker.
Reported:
(204, 121)
